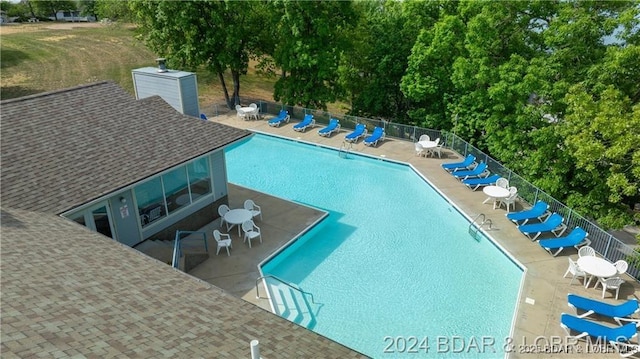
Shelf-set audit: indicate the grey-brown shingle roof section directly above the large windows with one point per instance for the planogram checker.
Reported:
(64, 148)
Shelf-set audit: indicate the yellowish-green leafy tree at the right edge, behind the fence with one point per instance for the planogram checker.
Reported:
(602, 134)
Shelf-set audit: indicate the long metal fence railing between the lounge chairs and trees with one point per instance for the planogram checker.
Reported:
(603, 242)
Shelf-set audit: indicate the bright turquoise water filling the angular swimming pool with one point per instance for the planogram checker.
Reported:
(393, 267)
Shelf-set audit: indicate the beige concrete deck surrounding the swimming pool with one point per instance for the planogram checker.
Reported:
(544, 290)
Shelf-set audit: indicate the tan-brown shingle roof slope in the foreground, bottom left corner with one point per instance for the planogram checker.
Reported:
(70, 292)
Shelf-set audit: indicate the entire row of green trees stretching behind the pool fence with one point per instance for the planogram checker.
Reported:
(550, 89)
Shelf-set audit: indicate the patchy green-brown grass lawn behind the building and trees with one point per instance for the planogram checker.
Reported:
(49, 56)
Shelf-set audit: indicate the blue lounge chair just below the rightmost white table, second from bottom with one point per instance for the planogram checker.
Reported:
(619, 312)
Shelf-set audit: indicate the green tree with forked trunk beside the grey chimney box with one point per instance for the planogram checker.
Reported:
(218, 35)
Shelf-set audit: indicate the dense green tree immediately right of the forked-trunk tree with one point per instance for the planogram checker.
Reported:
(312, 36)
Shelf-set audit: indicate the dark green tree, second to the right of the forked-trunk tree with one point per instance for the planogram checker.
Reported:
(372, 68)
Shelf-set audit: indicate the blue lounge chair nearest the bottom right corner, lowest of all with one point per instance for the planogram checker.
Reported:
(618, 337)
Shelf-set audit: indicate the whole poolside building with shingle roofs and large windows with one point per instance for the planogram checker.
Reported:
(88, 172)
